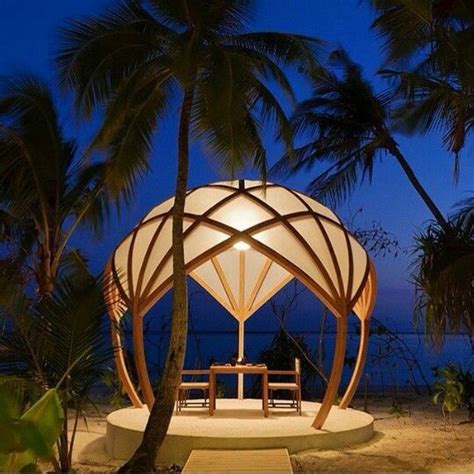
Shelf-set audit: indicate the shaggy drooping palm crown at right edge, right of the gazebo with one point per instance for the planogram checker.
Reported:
(444, 275)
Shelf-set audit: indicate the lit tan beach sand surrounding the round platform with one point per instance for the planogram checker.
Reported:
(416, 440)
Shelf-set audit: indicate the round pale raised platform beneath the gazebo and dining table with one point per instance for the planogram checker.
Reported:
(238, 424)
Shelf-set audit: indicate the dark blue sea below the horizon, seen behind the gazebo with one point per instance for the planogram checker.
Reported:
(401, 360)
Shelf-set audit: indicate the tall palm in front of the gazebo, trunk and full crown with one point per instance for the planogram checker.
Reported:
(140, 57)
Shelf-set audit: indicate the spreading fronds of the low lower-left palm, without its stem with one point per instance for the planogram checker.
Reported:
(59, 337)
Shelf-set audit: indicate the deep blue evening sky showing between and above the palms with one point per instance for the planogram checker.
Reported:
(27, 41)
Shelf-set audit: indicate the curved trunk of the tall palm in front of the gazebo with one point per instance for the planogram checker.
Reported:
(143, 460)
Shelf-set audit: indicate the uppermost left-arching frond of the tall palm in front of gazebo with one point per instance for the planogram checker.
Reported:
(97, 53)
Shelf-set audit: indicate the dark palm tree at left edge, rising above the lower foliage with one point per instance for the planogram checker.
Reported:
(46, 189)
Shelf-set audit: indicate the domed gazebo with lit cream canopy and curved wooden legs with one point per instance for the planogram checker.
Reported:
(244, 241)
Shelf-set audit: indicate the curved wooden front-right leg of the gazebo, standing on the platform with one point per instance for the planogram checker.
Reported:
(336, 373)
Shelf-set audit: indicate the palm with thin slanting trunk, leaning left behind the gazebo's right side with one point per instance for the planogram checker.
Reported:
(349, 126)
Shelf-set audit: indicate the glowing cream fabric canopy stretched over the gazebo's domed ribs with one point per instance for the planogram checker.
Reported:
(288, 234)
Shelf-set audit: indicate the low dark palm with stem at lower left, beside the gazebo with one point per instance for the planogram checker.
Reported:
(56, 340)
